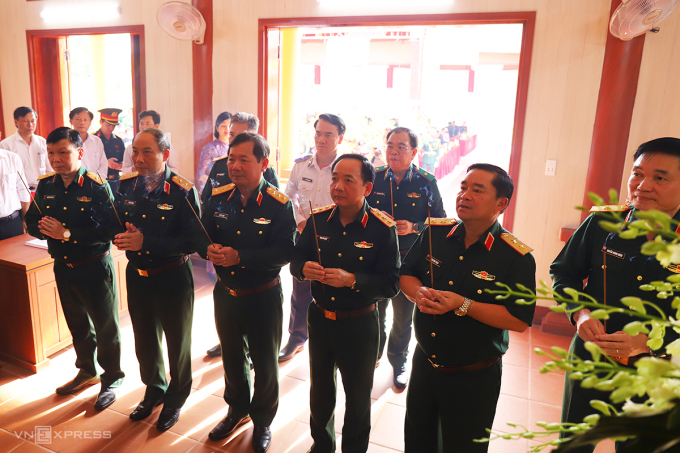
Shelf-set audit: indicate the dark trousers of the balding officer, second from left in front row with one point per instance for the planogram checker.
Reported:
(160, 304)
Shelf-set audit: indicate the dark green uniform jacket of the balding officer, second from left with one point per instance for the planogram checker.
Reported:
(170, 228)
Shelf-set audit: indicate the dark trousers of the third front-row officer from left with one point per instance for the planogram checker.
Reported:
(250, 324)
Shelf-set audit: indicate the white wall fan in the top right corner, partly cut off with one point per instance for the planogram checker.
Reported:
(635, 17)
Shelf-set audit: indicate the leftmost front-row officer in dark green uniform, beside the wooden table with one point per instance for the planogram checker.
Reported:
(75, 216)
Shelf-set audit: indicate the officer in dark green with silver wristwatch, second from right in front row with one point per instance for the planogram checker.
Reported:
(462, 331)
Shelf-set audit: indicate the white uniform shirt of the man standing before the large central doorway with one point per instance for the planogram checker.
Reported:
(309, 182)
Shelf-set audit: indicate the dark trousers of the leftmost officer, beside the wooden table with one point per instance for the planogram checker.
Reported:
(89, 298)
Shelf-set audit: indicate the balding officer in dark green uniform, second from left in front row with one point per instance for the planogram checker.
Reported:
(159, 210)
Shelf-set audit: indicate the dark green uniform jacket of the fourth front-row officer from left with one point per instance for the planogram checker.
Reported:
(367, 247)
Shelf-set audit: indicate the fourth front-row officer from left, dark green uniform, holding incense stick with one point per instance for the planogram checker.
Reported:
(355, 265)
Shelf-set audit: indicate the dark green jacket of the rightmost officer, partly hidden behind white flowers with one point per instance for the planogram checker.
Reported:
(583, 257)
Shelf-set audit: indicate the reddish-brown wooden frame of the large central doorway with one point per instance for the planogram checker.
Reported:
(526, 18)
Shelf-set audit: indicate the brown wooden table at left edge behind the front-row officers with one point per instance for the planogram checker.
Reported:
(32, 324)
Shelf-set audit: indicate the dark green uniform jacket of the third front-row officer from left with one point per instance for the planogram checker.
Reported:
(262, 232)
